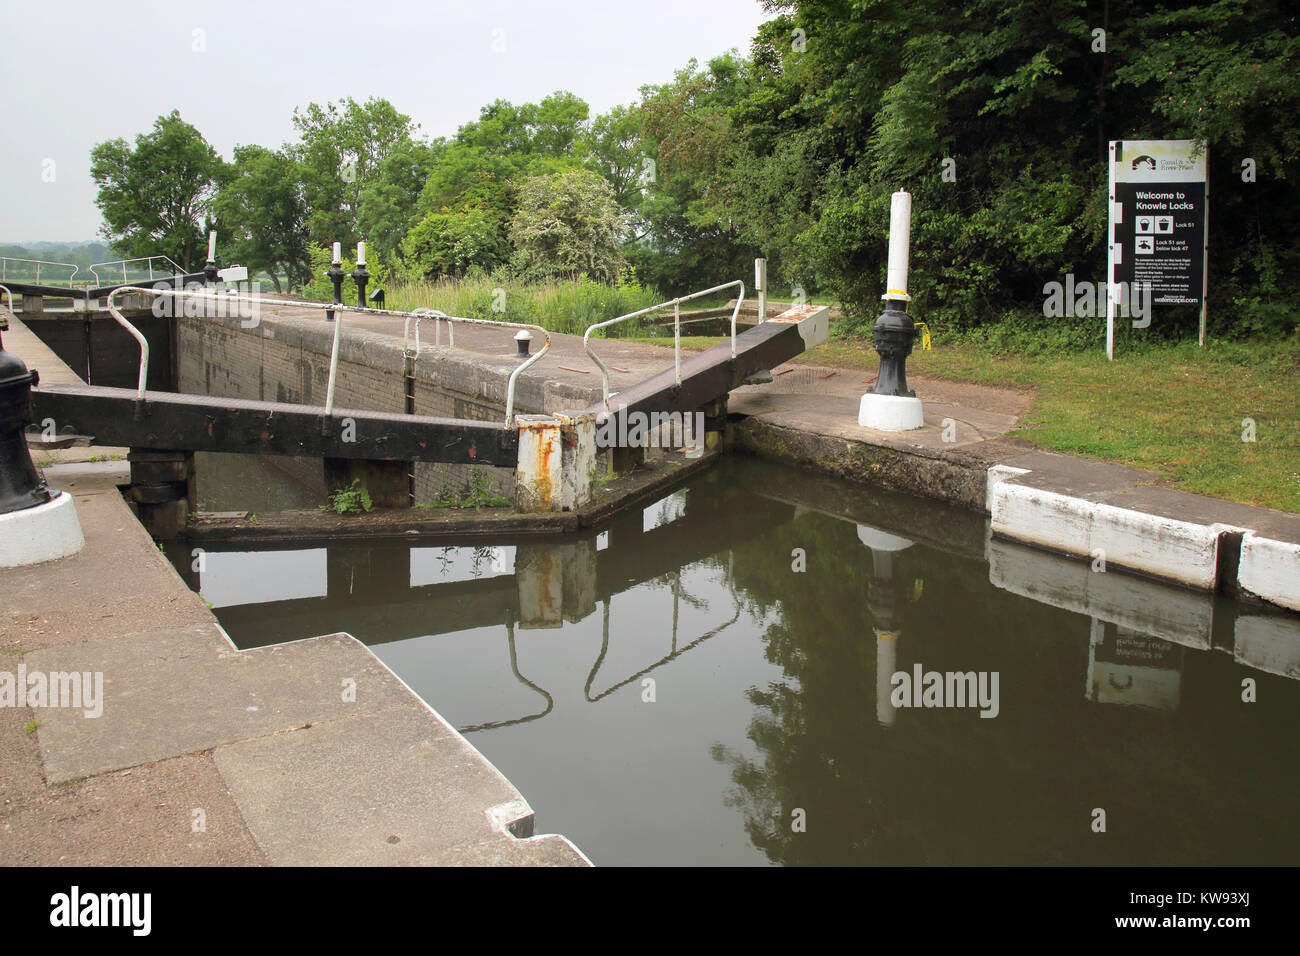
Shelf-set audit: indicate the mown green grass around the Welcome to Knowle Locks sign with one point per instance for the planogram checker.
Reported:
(1173, 409)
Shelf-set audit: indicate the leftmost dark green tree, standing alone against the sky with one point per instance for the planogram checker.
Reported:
(157, 198)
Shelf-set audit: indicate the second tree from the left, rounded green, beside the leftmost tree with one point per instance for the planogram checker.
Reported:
(262, 211)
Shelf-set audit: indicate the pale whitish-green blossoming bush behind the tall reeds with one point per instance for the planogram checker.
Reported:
(569, 223)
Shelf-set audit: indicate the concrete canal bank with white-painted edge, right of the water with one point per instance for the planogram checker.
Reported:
(1136, 520)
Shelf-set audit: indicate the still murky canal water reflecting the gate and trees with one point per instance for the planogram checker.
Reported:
(783, 704)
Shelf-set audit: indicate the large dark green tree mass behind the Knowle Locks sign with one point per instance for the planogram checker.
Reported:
(1019, 101)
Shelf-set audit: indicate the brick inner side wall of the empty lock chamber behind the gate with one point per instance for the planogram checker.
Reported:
(288, 361)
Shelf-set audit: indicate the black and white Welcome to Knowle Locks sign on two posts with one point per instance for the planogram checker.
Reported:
(1158, 233)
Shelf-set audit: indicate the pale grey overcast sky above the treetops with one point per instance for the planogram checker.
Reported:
(79, 73)
